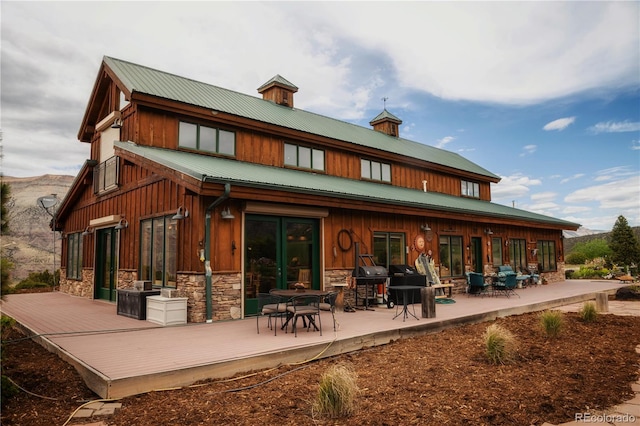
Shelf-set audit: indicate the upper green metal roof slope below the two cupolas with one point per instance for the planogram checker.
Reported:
(137, 78)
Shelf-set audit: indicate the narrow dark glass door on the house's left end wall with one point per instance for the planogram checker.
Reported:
(106, 264)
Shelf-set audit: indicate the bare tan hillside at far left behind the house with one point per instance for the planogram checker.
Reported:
(29, 244)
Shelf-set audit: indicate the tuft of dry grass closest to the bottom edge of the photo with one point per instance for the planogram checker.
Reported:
(337, 392)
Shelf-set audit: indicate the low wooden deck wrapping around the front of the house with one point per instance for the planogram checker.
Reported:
(119, 356)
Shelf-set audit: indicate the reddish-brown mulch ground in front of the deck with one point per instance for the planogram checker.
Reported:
(437, 379)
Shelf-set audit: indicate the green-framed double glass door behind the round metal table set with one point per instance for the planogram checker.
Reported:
(279, 252)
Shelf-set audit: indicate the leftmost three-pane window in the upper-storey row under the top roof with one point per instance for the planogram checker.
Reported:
(209, 139)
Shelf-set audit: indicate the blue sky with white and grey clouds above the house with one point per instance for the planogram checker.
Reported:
(544, 94)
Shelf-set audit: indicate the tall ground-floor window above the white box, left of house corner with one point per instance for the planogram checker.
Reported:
(158, 248)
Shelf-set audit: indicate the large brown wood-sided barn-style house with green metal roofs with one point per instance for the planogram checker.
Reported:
(220, 195)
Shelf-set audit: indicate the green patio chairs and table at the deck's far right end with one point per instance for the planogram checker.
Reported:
(505, 281)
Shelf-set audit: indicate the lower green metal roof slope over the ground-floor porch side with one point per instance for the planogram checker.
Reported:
(214, 169)
